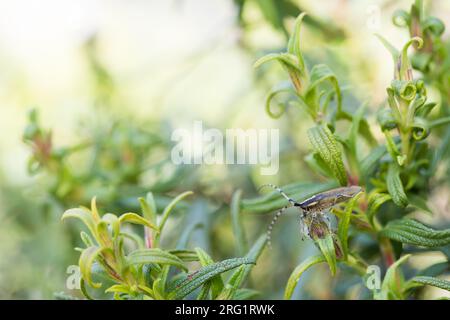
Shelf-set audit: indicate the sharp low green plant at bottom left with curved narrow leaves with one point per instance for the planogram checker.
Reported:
(142, 269)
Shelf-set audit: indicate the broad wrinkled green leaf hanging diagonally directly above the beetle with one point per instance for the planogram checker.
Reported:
(326, 146)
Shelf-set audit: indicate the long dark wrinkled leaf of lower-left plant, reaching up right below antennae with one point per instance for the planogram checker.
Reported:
(190, 282)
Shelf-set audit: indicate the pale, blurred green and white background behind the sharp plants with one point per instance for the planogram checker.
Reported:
(112, 79)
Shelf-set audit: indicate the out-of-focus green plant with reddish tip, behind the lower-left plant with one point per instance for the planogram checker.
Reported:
(115, 156)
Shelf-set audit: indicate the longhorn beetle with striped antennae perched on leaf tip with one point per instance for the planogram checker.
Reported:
(313, 206)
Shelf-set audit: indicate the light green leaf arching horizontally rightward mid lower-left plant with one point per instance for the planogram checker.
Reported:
(158, 256)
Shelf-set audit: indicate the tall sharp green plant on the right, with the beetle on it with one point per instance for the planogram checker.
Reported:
(395, 172)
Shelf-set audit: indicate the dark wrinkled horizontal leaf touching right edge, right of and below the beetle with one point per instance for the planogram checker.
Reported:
(415, 233)
